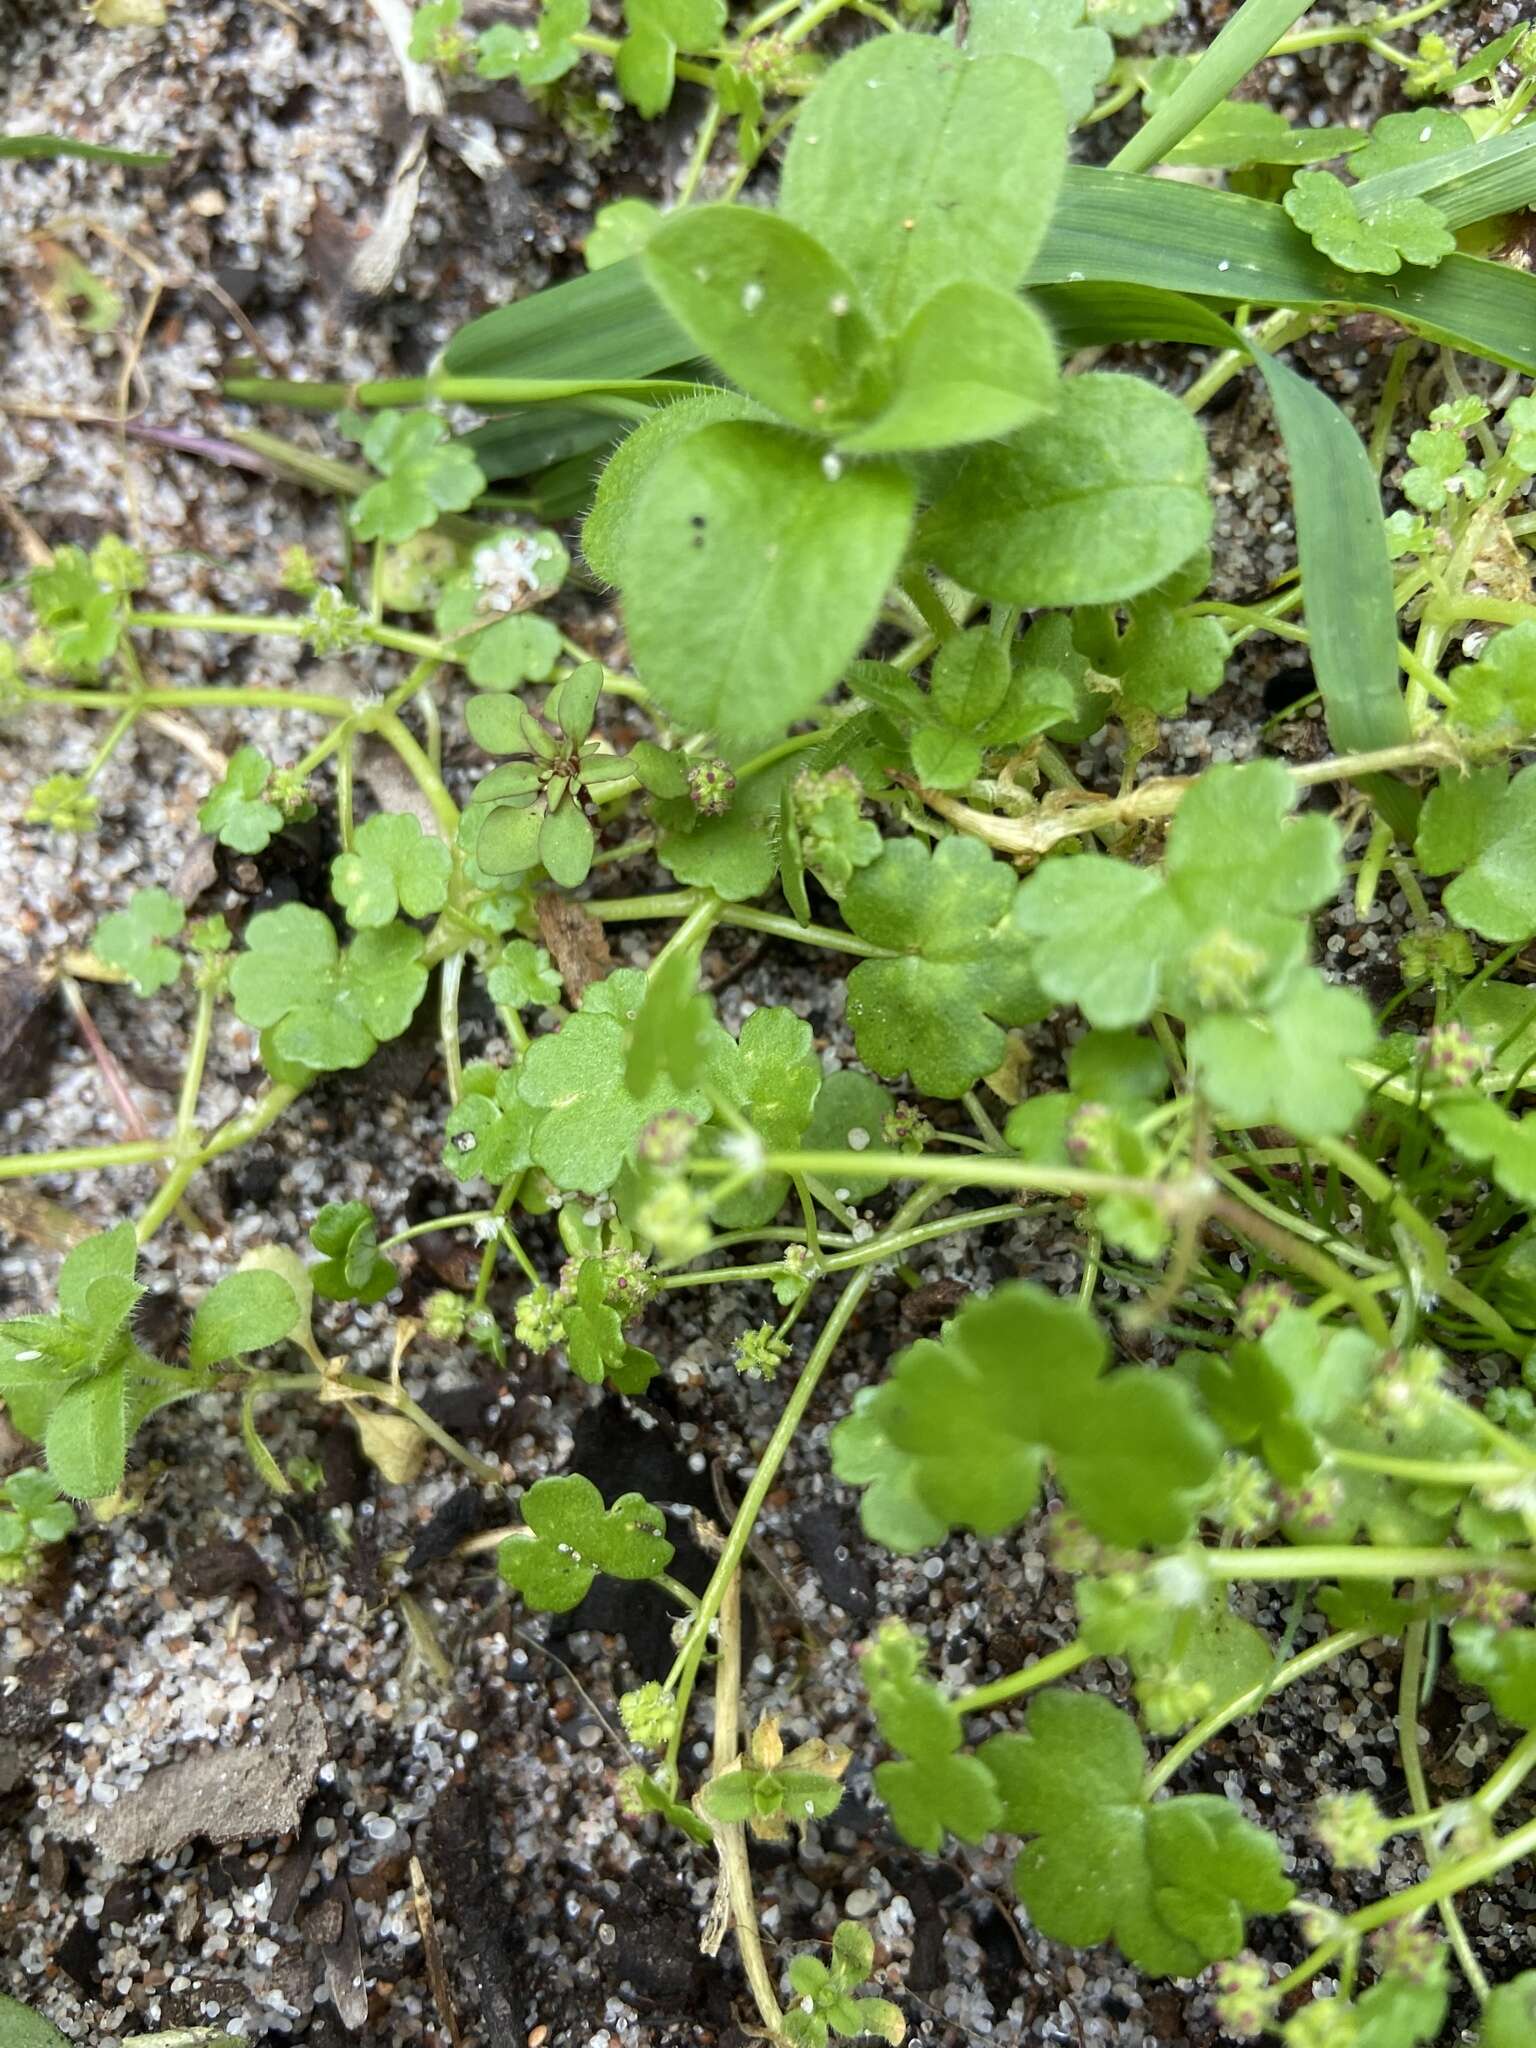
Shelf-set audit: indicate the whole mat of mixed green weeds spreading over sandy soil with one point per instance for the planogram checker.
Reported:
(908, 589)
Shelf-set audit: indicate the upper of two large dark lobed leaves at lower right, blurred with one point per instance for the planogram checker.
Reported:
(1132, 1451)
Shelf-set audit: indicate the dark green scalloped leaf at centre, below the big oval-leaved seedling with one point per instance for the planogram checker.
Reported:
(939, 1013)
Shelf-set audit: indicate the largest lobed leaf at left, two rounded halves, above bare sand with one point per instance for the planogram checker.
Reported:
(325, 1009)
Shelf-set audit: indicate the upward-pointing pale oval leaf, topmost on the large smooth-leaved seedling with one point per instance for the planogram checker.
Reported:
(921, 167)
